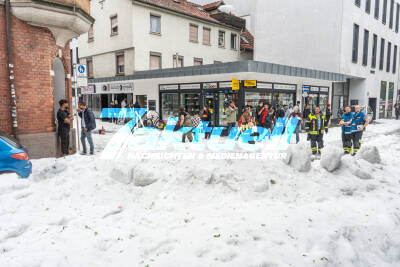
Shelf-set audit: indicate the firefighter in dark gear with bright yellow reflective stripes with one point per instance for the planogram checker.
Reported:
(316, 126)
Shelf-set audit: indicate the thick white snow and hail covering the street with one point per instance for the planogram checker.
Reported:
(83, 211)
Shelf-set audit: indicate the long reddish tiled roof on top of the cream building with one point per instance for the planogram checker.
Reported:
(183, 7)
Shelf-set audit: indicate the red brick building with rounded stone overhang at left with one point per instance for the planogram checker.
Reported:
(40, 31)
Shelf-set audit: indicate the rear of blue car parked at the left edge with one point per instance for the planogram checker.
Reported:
(14, 157)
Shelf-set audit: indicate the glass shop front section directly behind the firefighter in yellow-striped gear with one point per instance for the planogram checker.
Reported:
(316, 96)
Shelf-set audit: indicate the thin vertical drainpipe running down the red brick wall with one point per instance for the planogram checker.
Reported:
(11, 70)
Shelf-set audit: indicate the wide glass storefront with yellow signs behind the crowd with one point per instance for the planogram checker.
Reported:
(217, 95)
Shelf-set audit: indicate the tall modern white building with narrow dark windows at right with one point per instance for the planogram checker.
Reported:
(357, 38)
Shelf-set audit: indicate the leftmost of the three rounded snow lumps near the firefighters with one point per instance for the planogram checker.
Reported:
(299, 157)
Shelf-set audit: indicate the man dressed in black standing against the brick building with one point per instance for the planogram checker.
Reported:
(64, 119)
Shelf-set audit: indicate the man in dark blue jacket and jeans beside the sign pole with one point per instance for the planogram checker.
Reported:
(88, 125)
